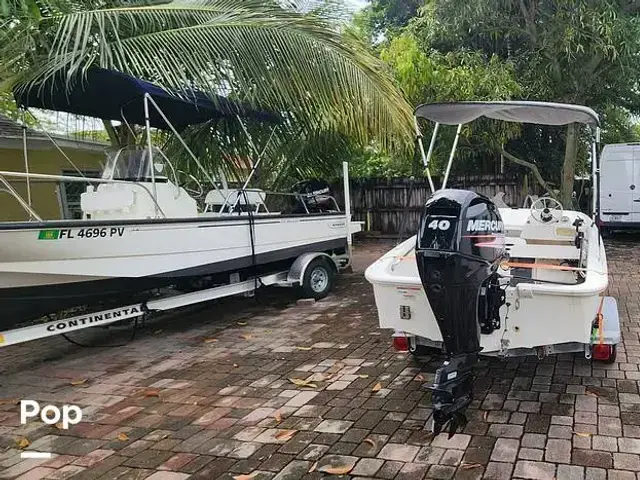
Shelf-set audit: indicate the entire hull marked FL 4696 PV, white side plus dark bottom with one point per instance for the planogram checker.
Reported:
(45, 267)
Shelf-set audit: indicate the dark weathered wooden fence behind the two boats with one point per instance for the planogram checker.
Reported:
(384, 204)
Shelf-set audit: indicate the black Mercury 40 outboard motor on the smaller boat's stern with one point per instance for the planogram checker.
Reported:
(459, 248)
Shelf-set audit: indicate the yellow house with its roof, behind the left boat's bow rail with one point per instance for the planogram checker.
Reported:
(51, 200)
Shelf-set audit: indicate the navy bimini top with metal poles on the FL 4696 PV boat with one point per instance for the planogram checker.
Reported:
(113, 95)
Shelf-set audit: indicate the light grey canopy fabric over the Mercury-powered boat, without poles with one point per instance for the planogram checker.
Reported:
(542, 113)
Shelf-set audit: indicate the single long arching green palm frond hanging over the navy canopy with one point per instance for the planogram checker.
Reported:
(297, 63)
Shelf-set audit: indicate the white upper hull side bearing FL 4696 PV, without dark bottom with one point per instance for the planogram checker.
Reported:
(151, 249)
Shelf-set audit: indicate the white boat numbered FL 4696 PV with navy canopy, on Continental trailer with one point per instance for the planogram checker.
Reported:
(142, 231)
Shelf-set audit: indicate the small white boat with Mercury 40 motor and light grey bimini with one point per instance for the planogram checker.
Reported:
(478, 279)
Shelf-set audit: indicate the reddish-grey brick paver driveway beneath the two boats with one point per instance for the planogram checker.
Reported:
(211, 394)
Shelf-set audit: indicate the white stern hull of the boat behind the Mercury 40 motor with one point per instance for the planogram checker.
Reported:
(540, 314)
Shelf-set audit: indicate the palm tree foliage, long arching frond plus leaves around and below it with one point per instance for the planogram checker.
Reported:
(305, 63)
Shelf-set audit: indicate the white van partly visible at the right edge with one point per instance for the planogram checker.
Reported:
(619, 202)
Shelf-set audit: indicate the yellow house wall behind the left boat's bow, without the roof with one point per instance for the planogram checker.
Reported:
(44, 194)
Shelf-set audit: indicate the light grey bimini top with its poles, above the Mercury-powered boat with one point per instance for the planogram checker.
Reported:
(541, 113)
